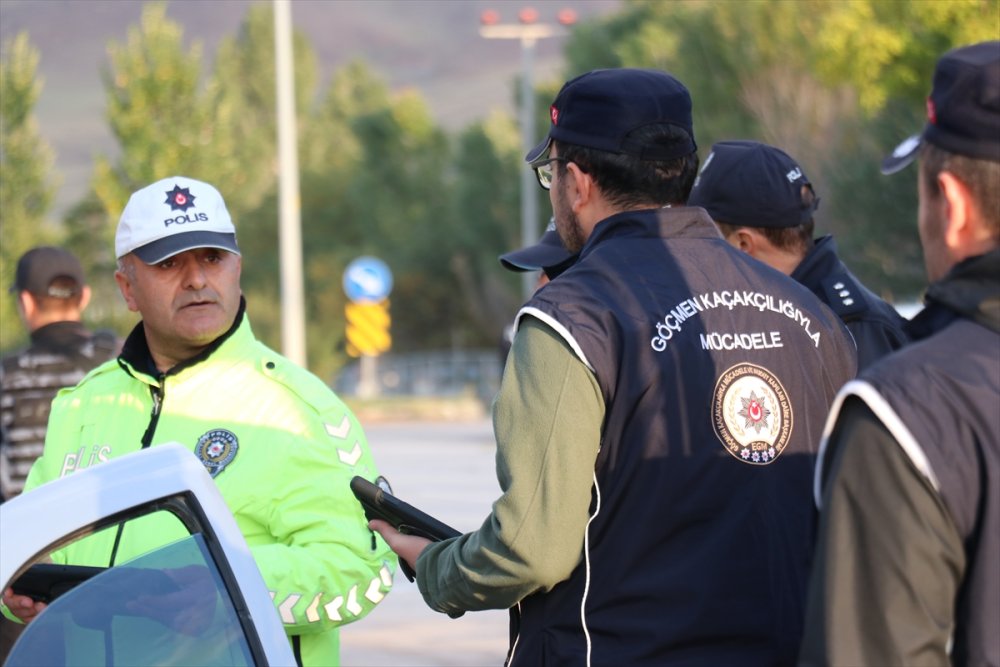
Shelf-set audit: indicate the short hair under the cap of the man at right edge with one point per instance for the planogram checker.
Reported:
(981, 177)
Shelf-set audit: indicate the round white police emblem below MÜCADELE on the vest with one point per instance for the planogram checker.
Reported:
(751, 414)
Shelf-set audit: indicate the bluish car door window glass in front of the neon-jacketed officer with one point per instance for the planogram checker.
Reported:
(166, 607)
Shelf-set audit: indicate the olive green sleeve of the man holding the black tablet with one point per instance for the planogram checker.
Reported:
(547, 420)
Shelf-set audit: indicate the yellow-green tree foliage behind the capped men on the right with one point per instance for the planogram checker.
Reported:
(813, 78)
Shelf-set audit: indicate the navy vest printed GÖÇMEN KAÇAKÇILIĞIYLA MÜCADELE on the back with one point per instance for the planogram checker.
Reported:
(717, 372)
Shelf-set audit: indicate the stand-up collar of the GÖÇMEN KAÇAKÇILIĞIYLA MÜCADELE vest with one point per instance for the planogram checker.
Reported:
(682, 222)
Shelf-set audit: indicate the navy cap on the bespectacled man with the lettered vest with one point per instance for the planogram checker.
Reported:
(600, 109)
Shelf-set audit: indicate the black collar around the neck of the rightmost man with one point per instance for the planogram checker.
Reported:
(971, 290)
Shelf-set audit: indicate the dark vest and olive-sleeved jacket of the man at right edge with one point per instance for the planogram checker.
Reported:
(936, 405)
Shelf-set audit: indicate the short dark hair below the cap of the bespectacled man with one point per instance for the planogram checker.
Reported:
(629, 182)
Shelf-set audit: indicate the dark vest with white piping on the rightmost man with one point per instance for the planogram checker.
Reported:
(946, 391)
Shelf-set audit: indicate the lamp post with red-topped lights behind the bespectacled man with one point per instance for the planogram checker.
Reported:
(528, 32)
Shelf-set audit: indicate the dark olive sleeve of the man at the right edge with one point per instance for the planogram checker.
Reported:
(889, 559)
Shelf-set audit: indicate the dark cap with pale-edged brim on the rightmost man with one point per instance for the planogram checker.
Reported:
(963, 109)
